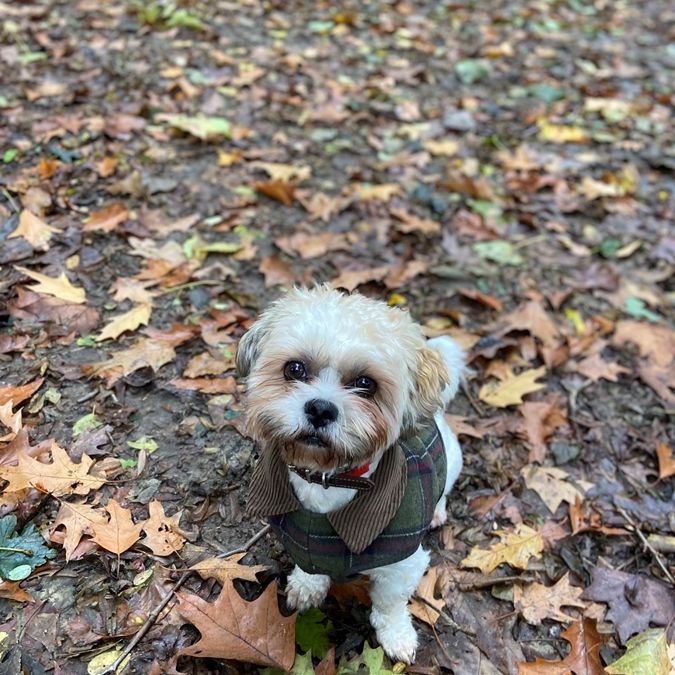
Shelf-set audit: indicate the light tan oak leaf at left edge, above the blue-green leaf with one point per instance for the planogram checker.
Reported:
(60, 477)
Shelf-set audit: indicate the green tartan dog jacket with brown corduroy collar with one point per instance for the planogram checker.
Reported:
(376, 528)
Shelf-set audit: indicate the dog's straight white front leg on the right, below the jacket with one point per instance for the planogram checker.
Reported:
(391, 588)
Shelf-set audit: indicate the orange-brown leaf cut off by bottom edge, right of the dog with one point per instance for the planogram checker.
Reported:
(583, 659)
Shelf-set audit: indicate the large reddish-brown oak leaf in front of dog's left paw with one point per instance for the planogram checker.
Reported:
(233, 629)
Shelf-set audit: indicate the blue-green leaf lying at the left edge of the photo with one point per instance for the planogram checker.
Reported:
(21, 553)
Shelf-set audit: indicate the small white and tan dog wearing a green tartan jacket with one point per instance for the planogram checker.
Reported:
(346, 400)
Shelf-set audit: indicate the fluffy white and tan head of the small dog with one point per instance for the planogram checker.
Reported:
(334, 379)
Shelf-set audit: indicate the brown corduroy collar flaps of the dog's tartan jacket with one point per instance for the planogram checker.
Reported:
(271, 494)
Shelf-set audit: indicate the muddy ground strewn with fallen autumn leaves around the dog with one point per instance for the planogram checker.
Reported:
(502, 170)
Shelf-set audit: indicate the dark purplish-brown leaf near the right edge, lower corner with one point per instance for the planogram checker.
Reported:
(635, 601)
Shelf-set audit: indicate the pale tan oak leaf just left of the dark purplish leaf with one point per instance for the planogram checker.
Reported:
(537, 602)
